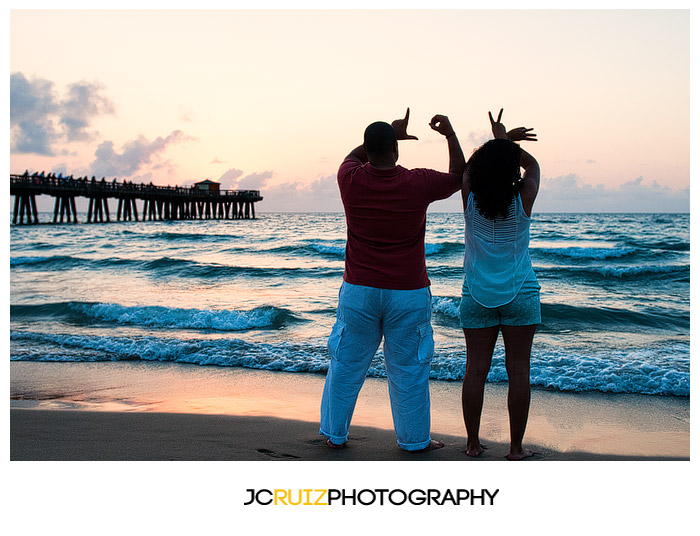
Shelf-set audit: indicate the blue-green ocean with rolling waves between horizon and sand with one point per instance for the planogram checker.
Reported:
(262, 294)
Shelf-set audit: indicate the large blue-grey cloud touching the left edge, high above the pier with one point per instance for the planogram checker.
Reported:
(39, 119)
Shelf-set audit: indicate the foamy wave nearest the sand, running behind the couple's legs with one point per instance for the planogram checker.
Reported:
(659, 370)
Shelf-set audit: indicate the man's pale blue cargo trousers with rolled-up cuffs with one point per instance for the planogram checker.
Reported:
(365, 315)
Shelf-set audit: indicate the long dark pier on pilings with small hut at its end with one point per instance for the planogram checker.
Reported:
(203, 200)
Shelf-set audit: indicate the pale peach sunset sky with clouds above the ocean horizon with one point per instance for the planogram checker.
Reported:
(274, 99)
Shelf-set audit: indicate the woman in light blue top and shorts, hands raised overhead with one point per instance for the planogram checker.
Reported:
(500, 291)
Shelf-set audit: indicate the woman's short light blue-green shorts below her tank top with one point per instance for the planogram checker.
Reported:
(523, 310)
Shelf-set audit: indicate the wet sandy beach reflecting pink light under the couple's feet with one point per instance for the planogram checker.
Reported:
(121, 411)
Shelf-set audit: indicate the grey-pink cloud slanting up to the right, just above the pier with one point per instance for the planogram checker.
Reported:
(135, 154)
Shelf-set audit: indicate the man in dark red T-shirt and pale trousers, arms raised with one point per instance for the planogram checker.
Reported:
(386, 290)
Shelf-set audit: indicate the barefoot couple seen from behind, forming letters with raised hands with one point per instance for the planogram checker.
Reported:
(386, 290)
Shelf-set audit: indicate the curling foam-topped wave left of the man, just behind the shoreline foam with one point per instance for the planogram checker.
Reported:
(158, 316)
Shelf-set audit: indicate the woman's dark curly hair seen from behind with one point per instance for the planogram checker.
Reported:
(494, 177)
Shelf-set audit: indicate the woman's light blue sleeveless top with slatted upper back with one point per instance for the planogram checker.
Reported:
(496, 256)
